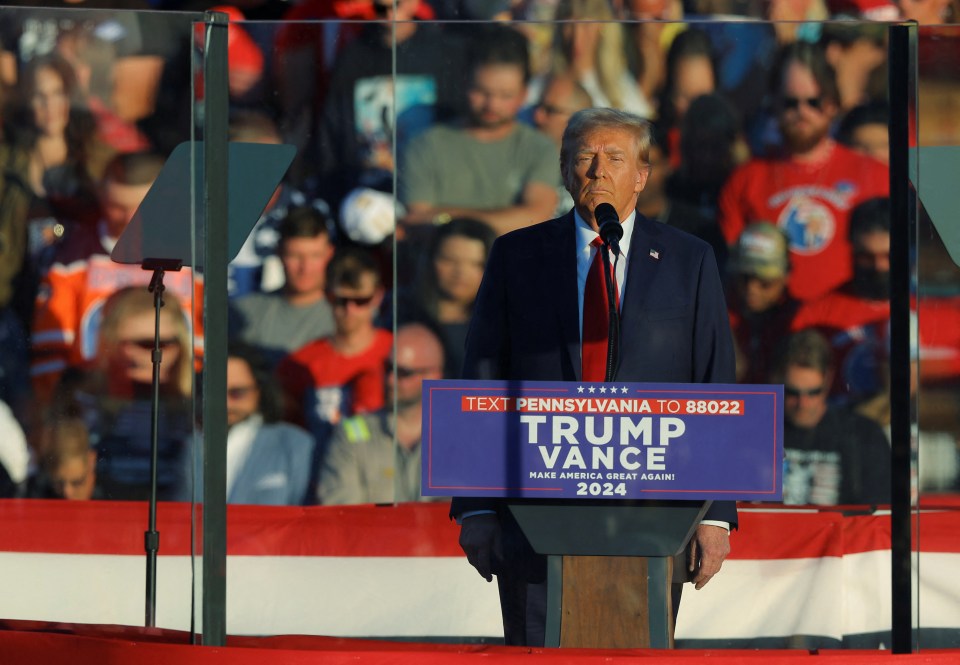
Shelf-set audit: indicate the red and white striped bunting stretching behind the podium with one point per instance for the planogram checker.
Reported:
(389, 584)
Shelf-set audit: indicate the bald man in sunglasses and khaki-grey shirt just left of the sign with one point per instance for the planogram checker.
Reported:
(375, 457)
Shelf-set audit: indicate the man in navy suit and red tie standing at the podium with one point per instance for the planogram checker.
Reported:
(528, 320)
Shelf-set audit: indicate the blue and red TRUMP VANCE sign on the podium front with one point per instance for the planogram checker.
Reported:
(564, 440)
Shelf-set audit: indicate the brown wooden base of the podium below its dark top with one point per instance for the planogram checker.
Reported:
(616, 602)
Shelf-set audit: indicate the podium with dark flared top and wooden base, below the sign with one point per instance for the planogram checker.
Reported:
(609, 568)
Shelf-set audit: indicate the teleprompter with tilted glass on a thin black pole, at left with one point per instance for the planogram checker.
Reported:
(164, 235)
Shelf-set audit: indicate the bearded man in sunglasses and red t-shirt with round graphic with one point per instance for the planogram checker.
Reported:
(810, 188)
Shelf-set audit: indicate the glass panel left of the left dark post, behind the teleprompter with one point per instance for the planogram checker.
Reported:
(109, 67)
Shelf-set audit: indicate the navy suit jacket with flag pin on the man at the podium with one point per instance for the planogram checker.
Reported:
(526, 321)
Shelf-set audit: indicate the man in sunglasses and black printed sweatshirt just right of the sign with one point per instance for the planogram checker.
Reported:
(832, 456)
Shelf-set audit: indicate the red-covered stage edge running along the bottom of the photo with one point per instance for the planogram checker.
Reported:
(27, 643)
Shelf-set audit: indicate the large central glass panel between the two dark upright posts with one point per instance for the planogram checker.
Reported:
(395, 155)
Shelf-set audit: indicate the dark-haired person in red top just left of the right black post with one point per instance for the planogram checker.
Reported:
(855, 318)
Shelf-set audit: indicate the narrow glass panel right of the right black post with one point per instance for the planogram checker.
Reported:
(937, 305)
